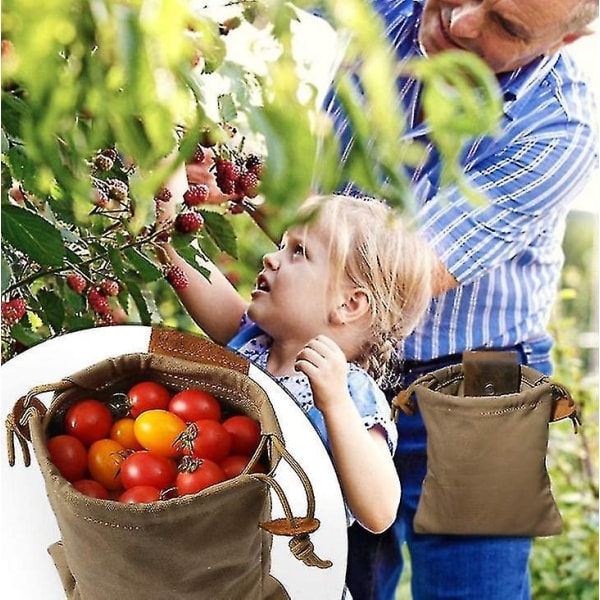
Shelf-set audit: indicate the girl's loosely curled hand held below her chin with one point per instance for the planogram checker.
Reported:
(326, 367)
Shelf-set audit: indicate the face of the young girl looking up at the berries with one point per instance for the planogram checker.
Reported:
(291, 300)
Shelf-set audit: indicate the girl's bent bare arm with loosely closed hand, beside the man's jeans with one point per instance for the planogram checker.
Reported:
(362, 459)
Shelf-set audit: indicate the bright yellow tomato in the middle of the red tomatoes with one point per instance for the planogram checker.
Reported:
(157, 430)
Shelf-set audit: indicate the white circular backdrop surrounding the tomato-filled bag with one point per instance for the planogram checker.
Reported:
(29, 526)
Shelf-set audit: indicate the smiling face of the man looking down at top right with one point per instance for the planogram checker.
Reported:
(506, 34)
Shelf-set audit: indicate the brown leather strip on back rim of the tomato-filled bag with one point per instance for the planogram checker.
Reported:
(187, 346)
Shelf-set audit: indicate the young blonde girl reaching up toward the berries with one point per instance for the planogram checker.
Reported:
(328, 307)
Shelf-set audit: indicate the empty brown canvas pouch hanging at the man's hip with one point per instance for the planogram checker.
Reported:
(487, 423)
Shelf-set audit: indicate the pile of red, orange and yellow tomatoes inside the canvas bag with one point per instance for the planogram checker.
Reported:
(169, 444)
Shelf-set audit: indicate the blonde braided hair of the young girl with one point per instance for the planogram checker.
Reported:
(379, 251)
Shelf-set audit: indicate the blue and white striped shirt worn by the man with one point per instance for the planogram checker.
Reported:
(507, 255)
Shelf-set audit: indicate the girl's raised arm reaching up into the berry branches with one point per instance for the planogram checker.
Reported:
(214, 305)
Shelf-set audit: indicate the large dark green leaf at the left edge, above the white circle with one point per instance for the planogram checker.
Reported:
(32, 235)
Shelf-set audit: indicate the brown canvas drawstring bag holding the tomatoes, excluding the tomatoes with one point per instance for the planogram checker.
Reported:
(215, 544)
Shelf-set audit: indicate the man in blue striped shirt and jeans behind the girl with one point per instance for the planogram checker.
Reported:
(499, 264)
